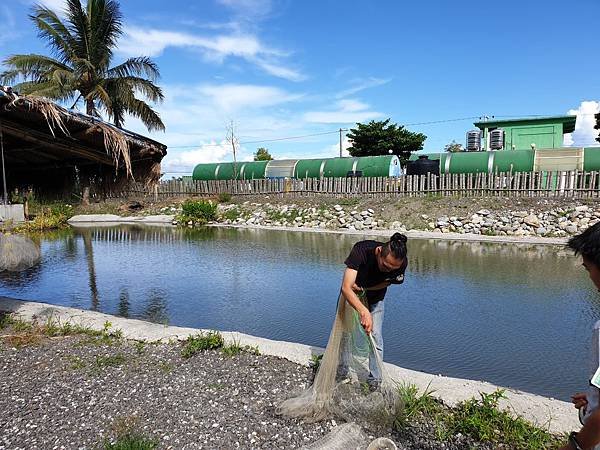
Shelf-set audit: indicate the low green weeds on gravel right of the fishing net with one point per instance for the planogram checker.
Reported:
(481, 419)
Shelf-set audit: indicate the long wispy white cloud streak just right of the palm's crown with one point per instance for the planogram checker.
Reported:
(153, 42)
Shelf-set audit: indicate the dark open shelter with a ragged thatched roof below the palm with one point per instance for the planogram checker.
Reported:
(40, 135)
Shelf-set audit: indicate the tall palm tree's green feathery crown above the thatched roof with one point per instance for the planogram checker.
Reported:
(82, 45)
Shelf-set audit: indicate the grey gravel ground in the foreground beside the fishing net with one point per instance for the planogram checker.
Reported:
(75, 392)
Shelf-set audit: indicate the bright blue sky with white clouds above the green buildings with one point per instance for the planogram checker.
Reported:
(294, 68)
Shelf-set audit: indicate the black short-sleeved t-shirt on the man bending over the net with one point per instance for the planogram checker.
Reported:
(362, 258)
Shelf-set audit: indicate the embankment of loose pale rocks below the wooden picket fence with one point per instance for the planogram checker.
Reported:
(558, 221)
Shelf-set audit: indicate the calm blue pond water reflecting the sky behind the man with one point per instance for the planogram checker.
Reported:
(514, 315)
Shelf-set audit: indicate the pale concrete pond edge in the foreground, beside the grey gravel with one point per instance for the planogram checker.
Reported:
(555, 415)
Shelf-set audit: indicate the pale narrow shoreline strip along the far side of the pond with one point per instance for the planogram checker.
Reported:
(92, 220)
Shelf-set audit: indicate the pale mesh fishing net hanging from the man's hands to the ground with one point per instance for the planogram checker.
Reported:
(341, 388)
